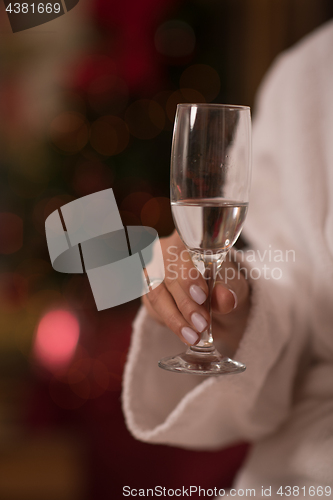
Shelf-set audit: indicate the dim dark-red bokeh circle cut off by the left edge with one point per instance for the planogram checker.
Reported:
(11, 233)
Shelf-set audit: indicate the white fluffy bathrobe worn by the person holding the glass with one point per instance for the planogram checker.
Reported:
(283, 402)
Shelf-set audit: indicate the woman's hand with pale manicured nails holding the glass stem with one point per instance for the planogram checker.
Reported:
(179, 301)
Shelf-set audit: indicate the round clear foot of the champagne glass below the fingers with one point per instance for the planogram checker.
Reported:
(209, 362)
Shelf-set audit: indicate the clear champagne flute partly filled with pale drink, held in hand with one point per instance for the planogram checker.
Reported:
(210, 184)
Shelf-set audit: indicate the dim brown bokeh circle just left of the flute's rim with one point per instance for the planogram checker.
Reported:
(145, 118)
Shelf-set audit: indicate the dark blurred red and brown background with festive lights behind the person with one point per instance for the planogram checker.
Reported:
(87, 102)
